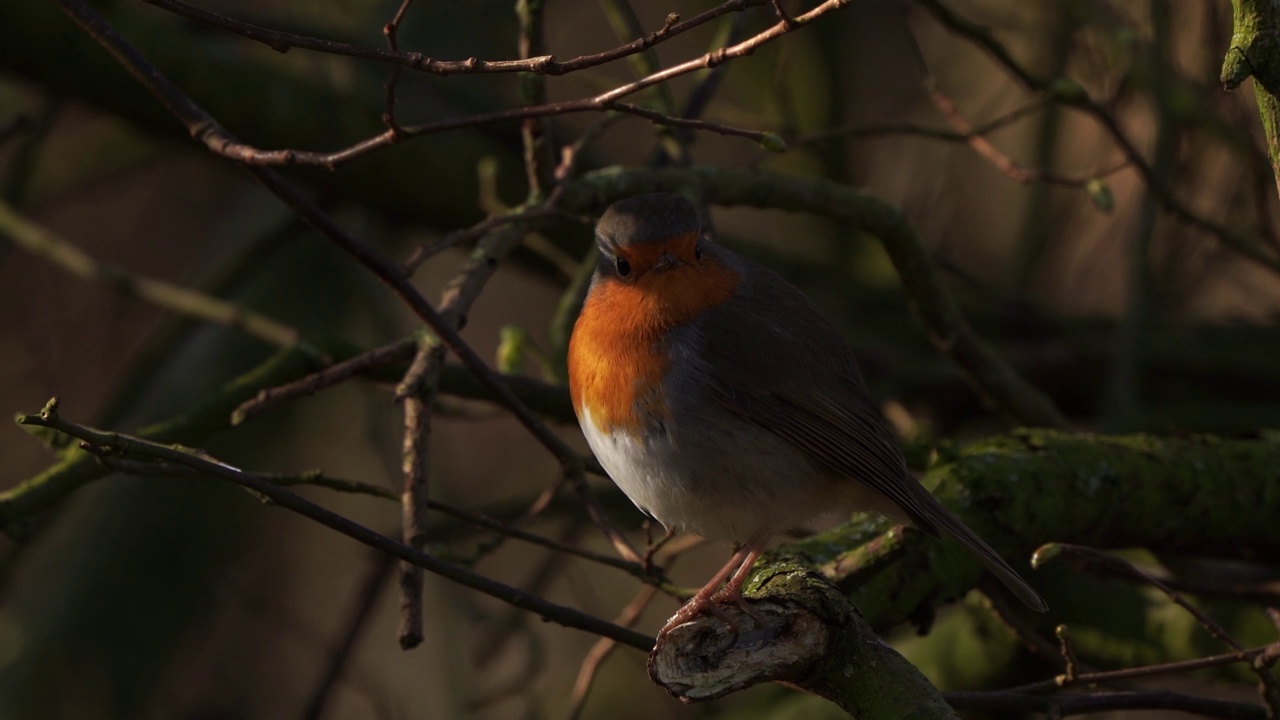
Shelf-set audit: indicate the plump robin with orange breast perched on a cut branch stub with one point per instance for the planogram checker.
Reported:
(726, 404)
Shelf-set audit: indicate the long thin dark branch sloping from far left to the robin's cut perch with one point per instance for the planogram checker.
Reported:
(559, 614)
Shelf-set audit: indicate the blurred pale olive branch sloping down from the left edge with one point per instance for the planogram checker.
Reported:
(190, 303)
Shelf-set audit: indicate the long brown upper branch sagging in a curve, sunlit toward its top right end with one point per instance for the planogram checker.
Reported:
(220, 142)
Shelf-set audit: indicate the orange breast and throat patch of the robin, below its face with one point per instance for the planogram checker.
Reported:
(619, 357)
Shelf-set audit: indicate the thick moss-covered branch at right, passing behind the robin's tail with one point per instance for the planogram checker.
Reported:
(1203, 496)
